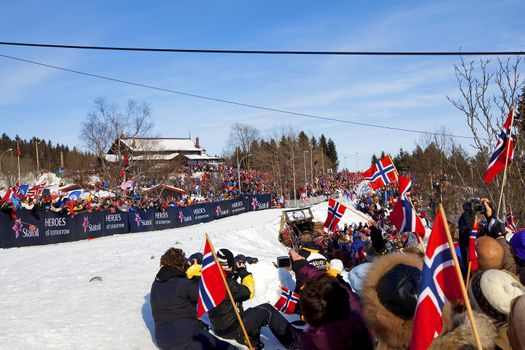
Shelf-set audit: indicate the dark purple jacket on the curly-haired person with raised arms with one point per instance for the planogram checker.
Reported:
(348, 333)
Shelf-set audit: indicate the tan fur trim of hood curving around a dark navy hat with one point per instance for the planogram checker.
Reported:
(389, 329)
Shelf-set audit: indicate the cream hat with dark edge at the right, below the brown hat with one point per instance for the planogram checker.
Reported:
(491, 291)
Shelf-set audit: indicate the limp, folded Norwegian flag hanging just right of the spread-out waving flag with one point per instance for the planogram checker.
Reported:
(404, 216)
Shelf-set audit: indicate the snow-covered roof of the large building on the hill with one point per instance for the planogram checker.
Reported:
(160, 145)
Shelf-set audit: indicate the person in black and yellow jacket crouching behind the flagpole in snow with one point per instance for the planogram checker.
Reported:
(223, 317)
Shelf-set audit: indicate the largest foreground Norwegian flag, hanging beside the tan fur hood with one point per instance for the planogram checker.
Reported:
(439, 284)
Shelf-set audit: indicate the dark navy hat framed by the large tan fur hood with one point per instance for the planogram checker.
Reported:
(397, 290)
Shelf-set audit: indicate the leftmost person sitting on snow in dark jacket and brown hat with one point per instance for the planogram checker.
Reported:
(173, 301)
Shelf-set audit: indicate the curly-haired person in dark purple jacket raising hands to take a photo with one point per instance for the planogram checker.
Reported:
(331, 309)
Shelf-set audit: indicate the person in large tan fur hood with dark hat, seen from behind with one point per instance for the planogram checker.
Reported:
(389, 298)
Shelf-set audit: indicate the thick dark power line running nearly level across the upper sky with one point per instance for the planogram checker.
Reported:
(271, 52)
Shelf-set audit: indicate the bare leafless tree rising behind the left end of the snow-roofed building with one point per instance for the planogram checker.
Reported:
(106, 124)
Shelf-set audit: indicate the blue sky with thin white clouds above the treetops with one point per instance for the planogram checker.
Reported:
(406, 92)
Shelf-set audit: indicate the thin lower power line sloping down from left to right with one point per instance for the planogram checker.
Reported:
(270, 109)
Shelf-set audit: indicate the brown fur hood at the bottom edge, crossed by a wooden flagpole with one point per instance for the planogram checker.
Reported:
(457, 333)
